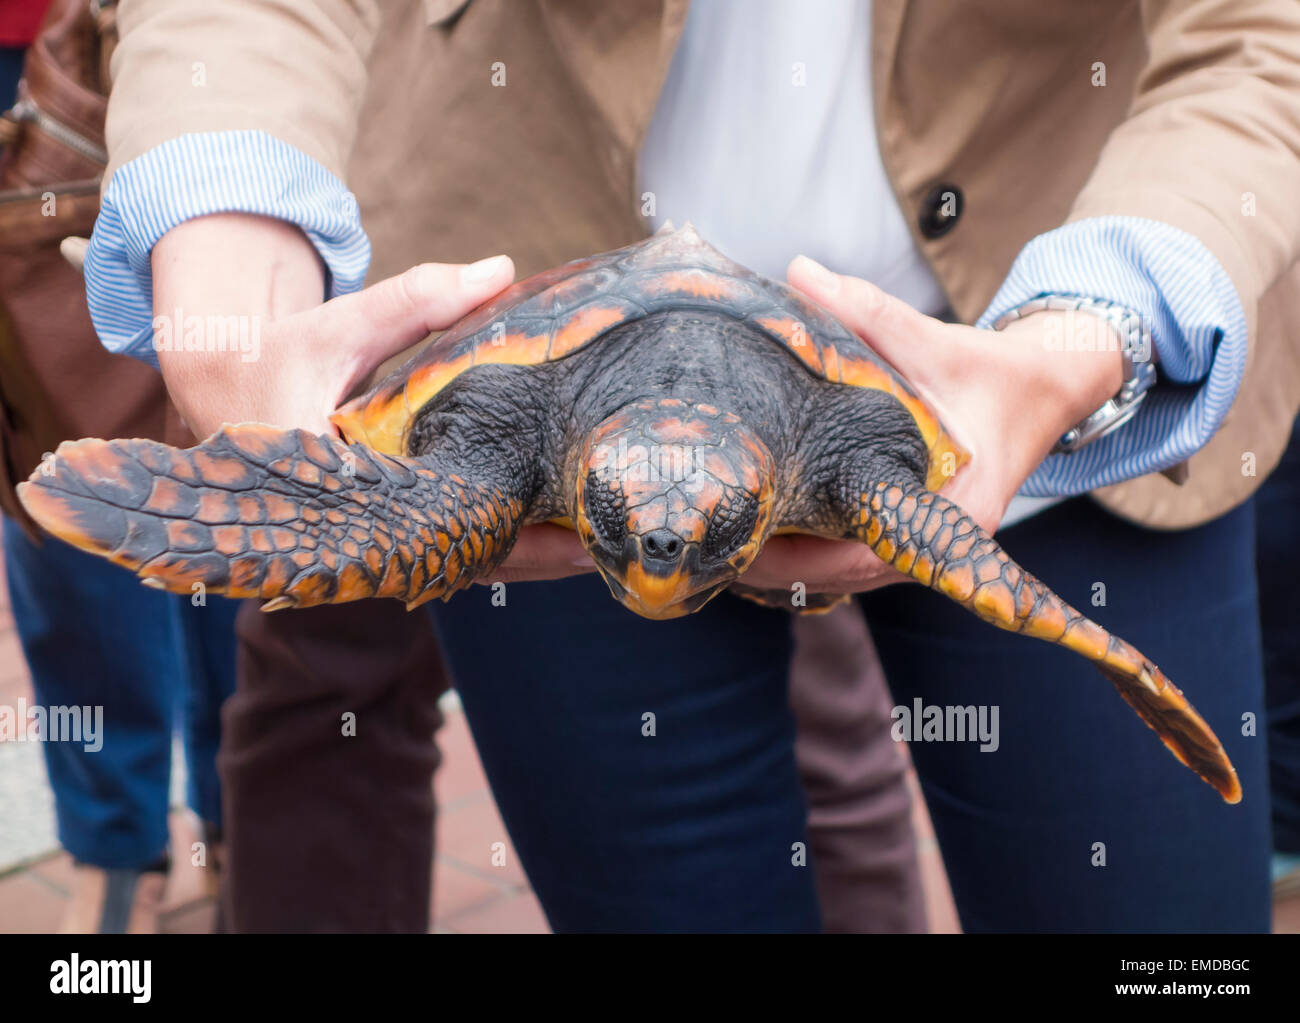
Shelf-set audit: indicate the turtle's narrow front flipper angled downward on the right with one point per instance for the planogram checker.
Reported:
(934, 541)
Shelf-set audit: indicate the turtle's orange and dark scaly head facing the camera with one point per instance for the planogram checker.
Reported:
(674, 502)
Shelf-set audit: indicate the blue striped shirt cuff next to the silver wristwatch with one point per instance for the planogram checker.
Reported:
(1198, 327)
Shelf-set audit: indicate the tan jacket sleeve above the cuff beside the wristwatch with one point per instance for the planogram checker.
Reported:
(1212, 141)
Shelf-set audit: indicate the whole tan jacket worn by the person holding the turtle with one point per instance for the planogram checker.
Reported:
(1199, 116)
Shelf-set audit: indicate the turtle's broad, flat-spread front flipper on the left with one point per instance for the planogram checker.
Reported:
(283, 515)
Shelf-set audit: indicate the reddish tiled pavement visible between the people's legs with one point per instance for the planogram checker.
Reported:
(470, 895)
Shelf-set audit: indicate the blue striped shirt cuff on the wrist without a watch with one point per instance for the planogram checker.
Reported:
(192, 176)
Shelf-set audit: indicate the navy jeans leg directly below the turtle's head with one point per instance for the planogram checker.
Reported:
(645, 770)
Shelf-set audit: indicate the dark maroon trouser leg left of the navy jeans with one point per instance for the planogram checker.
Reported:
(327, 770)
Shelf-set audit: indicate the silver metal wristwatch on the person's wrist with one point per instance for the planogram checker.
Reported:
(1138, 353)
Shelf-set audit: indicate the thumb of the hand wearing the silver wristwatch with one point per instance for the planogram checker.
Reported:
(889, 324)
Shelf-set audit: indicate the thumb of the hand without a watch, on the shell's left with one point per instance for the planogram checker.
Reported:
(396, 314)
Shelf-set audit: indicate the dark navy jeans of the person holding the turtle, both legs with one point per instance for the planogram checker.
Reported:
(697, 827)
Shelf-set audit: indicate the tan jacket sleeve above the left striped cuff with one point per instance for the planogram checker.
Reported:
(294, 70)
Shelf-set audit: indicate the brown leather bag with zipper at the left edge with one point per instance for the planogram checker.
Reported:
(57, 380)
